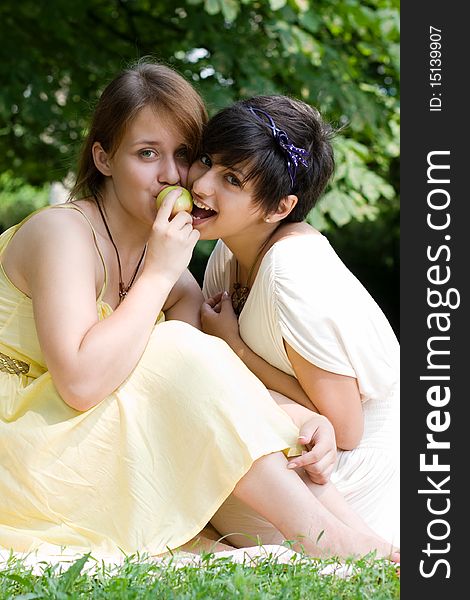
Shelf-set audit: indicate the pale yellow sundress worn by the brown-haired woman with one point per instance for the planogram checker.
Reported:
(143, 470)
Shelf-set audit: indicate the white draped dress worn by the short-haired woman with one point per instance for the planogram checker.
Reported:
(304, 294)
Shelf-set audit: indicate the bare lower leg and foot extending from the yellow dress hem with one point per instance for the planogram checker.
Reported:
(280, 495)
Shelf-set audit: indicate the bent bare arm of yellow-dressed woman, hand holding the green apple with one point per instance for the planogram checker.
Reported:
(87, 358)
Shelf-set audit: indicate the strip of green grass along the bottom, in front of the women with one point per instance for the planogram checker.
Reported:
(217, 578)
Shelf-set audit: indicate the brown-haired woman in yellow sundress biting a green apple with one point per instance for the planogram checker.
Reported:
(122, 426)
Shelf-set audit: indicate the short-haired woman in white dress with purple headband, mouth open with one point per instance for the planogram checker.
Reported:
(280, 296)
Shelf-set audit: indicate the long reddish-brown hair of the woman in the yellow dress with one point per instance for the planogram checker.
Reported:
(143, 84)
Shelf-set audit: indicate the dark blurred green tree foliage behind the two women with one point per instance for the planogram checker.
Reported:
(339, 55)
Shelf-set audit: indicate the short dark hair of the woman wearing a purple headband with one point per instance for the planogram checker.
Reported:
(235, 136)
